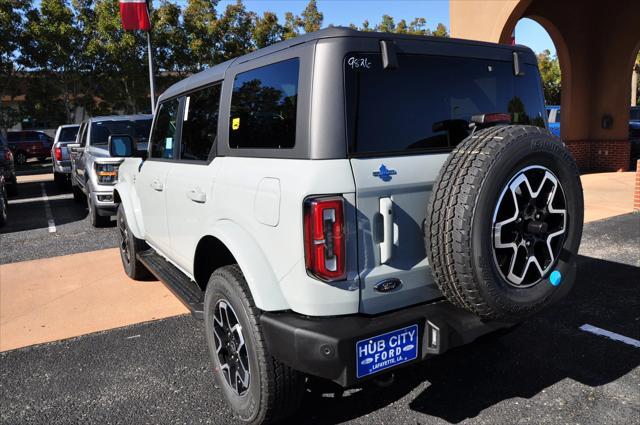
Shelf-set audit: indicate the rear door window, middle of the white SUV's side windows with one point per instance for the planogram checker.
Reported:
(200, 123)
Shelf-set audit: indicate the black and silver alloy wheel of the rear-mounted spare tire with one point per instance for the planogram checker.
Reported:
(529, 226)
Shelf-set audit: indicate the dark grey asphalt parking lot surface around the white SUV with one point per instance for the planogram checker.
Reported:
(546, 371)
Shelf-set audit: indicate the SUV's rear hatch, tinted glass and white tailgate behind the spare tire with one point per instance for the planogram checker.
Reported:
(402, 123)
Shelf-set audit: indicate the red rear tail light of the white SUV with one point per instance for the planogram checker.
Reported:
(324, 241)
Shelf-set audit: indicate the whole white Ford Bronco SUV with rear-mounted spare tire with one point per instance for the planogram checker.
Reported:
(345, 203)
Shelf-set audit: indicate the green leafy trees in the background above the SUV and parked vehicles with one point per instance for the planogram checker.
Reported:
(77, 54)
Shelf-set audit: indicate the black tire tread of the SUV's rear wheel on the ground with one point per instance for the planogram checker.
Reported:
(283, 386)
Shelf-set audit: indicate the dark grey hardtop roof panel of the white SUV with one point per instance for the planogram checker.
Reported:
(217, 72)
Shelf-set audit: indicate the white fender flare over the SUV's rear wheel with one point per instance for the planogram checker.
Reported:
(263, 284)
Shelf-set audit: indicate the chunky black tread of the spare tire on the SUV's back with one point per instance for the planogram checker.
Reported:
(451, 210)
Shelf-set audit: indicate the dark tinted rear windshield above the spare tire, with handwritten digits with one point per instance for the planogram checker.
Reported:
(428, 101)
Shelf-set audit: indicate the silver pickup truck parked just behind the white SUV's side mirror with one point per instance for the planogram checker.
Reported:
(93, 171)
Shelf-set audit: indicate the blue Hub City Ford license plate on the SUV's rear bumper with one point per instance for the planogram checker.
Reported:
(387, 350)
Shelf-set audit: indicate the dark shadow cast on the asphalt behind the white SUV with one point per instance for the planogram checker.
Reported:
(534, 356)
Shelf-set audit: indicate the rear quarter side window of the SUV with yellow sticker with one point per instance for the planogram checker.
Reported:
(263, 107)
